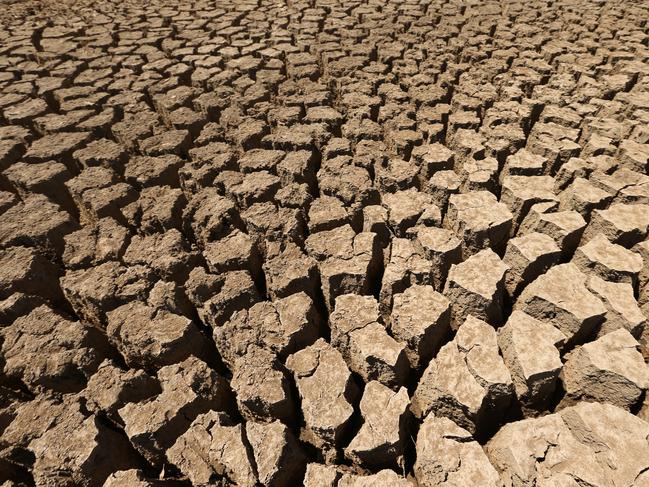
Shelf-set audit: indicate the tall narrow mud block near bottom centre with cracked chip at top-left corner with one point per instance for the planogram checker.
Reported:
(327, 393)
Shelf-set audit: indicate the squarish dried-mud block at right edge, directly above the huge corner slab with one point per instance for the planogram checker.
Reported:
(609, 370)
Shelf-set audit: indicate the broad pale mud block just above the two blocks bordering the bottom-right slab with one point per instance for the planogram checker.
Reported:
(560, 296)
